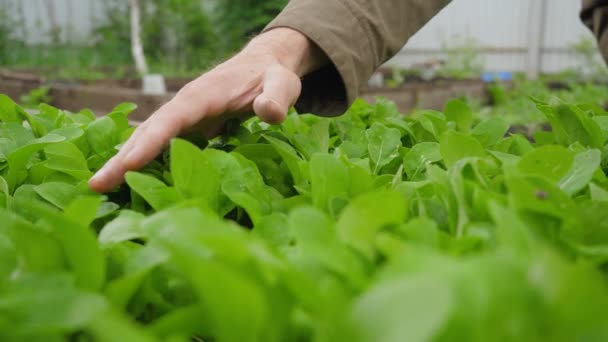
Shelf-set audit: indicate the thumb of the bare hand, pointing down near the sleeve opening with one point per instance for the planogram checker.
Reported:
(281, 89)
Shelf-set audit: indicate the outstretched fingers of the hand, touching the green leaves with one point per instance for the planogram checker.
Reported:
(143, 146)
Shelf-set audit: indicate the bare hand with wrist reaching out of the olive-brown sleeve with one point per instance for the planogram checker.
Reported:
(264, 78)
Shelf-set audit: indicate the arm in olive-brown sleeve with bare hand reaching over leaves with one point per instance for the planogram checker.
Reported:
(334, 44)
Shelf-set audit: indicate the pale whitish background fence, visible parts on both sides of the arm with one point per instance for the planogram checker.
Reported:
(502, 31)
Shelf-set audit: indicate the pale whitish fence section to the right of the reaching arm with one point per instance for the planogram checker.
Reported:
(502, 31)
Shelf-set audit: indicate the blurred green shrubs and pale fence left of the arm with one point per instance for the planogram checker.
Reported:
(90, 39)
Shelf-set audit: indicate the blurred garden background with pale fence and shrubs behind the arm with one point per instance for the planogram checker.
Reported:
(56, 50)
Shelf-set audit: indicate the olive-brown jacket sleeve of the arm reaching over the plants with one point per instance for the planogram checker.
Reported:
(357, 36)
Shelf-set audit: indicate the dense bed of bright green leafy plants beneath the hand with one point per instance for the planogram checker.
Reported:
(367, 227)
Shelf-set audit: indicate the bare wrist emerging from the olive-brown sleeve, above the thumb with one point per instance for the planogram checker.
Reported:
(290, 48)
